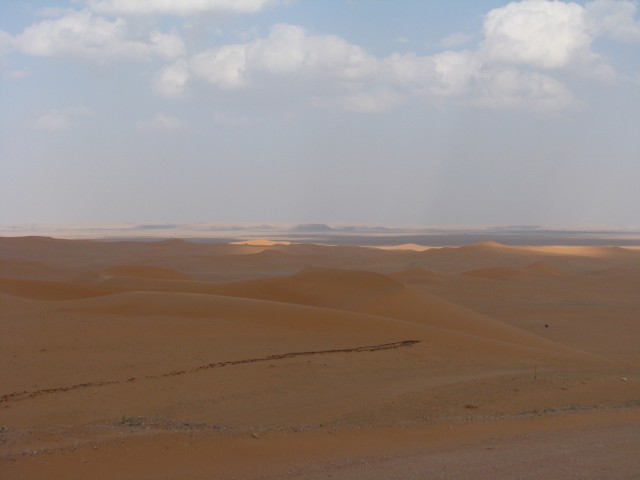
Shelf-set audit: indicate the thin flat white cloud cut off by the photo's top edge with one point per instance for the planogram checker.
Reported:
(177, 7)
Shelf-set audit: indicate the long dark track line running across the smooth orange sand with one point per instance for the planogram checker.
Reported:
(24, 395)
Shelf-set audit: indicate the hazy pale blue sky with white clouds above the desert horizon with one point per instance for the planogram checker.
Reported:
(368, 112)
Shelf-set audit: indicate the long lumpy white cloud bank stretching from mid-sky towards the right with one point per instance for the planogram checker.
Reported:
(367, 84)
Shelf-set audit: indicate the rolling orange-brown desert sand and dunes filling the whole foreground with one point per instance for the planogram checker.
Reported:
(263, 359)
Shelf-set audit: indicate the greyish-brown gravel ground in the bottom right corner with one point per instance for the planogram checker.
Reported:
(607, 453)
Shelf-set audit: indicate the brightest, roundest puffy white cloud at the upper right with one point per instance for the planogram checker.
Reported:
(539, 33)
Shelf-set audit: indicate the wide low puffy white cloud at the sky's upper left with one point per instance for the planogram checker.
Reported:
(81, 34)
